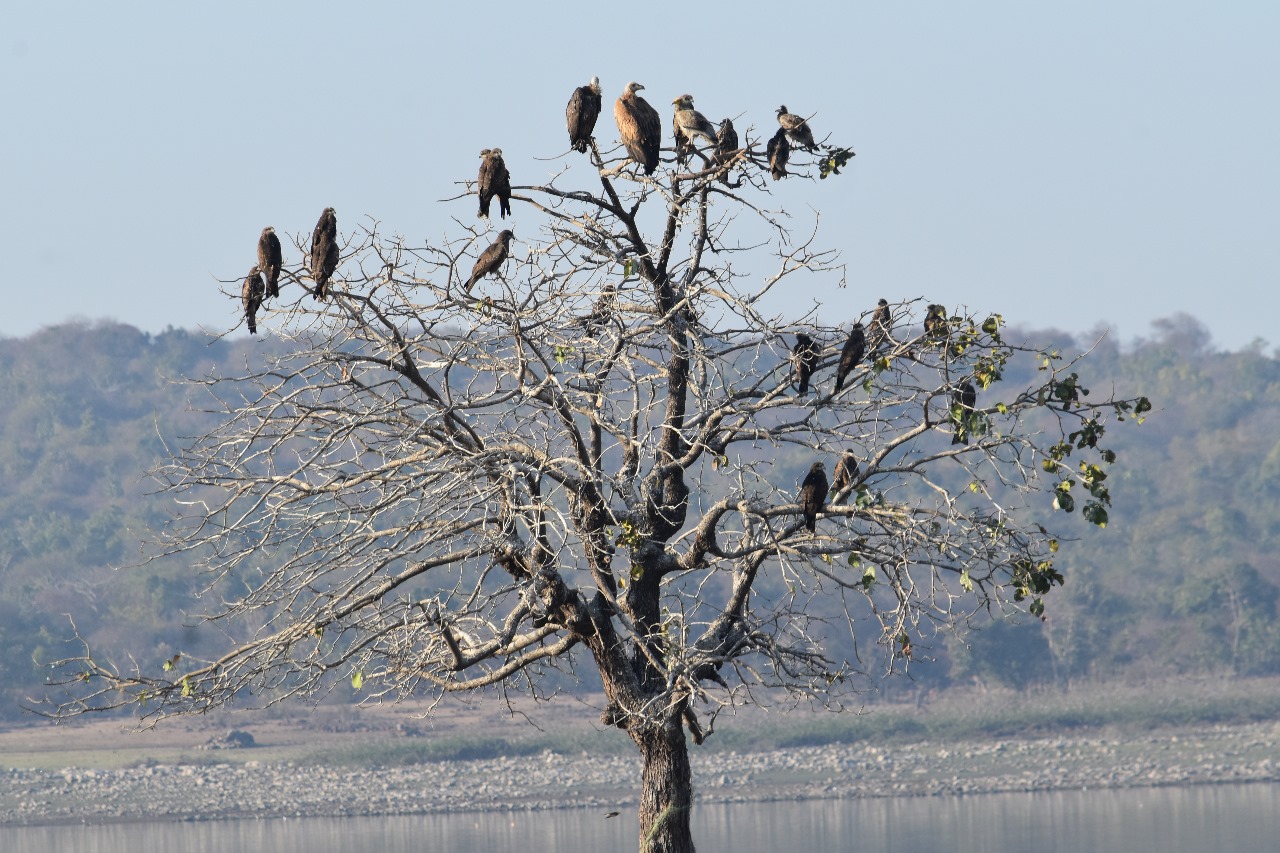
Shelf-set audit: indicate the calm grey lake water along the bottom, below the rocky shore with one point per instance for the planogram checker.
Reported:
(1165, 820)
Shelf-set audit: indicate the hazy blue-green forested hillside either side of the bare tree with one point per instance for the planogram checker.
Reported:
(1181, 581)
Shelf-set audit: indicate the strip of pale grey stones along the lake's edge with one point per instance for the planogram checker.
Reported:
(551, 781)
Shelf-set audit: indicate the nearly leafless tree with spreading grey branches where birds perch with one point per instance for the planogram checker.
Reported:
(595, 457)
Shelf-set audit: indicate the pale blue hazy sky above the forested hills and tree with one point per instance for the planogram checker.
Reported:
(1067, 165)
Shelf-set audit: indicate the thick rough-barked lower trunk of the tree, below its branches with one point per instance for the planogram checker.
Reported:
(668, 788)
